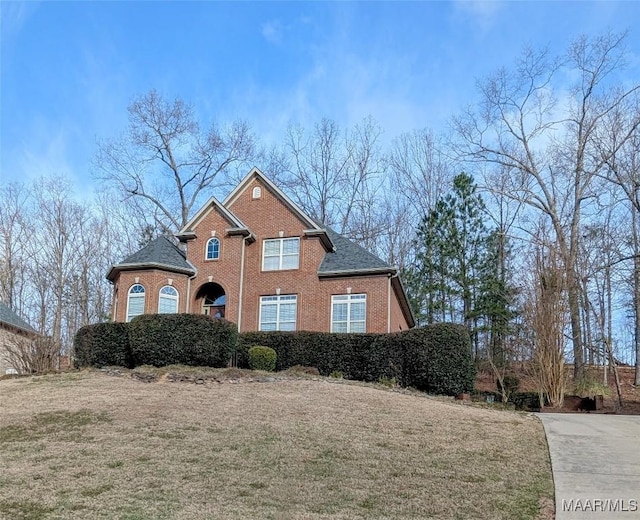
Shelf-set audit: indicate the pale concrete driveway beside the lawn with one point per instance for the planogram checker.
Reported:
(596, 465)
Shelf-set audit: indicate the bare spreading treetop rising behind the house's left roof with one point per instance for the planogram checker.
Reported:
(166, 163)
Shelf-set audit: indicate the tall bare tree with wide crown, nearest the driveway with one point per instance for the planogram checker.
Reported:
(552, 147)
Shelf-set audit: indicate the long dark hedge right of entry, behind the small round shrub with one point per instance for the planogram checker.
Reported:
(436, 358)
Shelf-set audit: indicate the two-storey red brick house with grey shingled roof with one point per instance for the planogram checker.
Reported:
(258, 260)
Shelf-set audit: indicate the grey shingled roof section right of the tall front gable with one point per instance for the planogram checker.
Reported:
(350, 258)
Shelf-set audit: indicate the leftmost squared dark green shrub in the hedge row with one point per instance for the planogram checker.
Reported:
(103, 344)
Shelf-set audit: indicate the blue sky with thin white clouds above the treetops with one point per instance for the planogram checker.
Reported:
(69, 69)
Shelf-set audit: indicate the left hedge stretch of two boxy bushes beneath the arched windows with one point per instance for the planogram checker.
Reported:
(158, 340)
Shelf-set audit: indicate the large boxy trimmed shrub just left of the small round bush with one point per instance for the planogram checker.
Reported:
(185, 339)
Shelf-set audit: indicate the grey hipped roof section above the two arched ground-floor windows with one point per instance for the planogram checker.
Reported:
(160, 253)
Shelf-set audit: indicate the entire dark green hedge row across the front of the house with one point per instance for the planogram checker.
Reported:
(436, 358)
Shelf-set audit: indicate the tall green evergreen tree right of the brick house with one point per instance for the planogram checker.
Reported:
(460, 271)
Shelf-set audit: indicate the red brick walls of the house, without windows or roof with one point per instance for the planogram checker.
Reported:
(266, 217)
